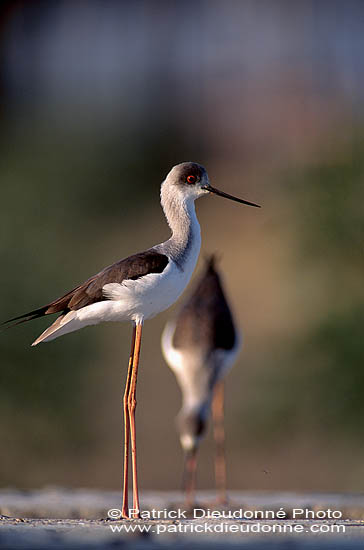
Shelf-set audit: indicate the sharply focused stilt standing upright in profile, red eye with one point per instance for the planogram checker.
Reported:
(135, 289)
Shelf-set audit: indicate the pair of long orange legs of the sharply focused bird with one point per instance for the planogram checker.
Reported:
(131, 407)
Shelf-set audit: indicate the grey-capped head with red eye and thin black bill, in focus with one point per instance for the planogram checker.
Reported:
(190, 180)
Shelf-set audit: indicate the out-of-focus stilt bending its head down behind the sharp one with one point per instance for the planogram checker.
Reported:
(200, 344)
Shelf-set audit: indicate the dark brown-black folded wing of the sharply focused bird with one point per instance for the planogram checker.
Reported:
(90, 291)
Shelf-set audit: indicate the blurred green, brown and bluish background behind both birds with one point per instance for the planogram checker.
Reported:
(98, 99)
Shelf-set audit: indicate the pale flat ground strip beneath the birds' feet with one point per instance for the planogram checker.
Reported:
(50, 518)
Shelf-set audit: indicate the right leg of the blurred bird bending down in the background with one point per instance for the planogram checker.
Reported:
(219, 436)
